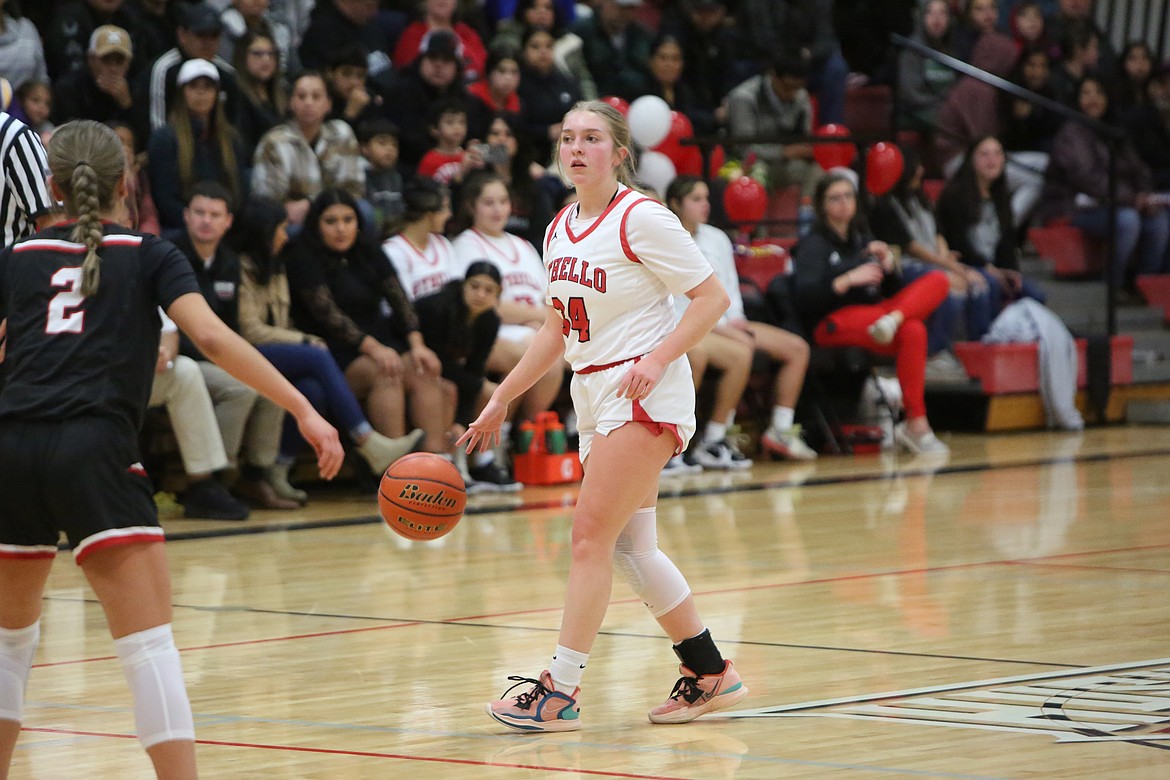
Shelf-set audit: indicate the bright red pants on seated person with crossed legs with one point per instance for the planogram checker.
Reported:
(849, 327)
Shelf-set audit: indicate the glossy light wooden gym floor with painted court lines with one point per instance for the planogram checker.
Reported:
(1000, 616)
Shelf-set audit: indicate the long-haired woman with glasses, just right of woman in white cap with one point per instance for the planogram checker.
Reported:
(265, 98)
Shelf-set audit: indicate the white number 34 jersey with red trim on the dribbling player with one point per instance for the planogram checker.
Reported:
(611, 279)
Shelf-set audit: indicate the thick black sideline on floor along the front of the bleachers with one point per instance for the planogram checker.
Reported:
(708, 491)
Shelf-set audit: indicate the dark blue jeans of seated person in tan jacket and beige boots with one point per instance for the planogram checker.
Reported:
(316, 375)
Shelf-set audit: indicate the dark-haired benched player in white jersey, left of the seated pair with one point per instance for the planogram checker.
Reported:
(423, 258)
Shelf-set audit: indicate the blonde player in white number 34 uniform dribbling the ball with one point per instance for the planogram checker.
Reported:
(614, 261)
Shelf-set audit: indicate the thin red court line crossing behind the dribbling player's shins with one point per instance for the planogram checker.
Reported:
(824, 581)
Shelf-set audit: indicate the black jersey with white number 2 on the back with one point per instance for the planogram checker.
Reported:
(71, 356)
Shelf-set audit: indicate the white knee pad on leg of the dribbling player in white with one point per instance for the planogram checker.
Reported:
(651, 575)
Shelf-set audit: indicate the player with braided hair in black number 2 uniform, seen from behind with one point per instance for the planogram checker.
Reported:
(82, 339)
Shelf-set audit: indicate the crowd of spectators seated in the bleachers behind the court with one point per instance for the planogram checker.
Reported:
(400, 144)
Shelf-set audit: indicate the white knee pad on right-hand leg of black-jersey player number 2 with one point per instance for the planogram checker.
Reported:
(152, 665)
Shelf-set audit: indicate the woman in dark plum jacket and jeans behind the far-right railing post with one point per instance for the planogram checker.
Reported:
(1078, 189)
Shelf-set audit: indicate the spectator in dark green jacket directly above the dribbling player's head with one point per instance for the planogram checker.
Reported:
(617, 49)
